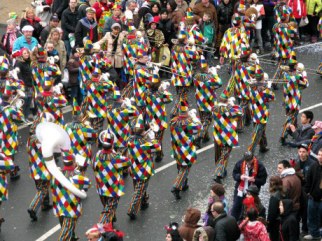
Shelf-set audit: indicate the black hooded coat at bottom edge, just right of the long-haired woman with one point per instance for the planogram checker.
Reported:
(289, 223)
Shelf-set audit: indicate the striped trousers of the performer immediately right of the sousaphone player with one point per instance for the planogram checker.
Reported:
(109, 209)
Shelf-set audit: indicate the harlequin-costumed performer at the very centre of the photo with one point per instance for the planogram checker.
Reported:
(156, 98)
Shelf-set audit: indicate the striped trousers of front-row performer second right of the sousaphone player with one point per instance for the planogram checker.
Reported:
(139, 196)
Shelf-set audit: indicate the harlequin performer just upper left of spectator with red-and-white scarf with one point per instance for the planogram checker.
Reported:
(225, 116)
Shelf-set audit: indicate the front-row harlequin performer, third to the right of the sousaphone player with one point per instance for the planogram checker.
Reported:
(183, 129)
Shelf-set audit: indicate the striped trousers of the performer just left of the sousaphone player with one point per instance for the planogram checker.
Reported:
(42, 196)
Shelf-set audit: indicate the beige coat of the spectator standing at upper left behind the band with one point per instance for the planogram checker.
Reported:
(117, 58)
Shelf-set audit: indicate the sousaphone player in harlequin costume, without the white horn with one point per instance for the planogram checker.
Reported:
(67, 206)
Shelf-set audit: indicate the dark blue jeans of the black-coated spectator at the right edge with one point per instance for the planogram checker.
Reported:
(314, 214)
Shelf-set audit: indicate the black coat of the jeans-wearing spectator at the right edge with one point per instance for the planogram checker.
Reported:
(313, 178)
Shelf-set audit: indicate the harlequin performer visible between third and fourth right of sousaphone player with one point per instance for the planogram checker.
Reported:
(206, 82)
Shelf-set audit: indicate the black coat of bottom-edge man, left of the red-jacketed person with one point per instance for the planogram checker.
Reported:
(226, 228)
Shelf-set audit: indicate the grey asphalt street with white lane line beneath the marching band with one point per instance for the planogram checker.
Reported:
(150, 223)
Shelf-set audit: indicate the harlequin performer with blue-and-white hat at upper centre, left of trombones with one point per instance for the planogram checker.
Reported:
(182, 56)
